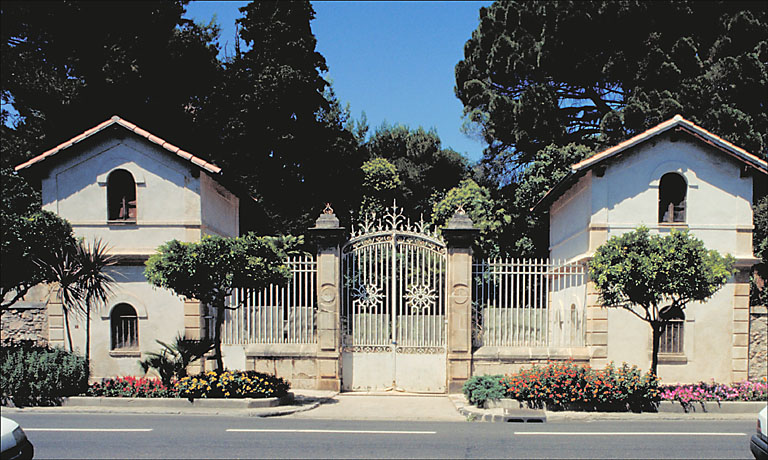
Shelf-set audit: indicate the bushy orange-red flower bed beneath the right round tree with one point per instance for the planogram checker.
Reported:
(566, 386)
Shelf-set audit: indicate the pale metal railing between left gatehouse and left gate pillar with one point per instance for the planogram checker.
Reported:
(276, 314)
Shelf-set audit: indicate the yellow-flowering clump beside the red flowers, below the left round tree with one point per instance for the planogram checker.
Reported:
(232, 384)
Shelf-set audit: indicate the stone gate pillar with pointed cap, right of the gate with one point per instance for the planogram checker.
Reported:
(459, 235)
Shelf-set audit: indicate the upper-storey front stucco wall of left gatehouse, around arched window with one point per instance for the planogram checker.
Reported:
(167, 194)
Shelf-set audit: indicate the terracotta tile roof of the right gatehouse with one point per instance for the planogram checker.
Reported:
(676, 122)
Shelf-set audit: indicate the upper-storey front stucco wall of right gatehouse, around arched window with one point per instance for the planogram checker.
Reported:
(718, 201)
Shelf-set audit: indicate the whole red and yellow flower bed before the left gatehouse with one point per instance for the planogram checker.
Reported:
(227, 384)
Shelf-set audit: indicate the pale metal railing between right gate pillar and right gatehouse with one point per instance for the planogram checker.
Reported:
(528, 303)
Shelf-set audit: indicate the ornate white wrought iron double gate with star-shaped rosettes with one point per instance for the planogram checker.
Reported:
(393, 307)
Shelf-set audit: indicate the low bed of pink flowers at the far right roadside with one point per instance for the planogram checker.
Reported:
(703, 392)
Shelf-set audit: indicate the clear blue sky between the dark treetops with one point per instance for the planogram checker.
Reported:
(392, 60)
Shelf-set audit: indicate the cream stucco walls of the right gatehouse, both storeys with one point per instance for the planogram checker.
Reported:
(718, 211)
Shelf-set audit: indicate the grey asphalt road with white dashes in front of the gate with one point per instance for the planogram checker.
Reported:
(200, 436)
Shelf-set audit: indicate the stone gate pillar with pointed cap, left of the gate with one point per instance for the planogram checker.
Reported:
(328, 235)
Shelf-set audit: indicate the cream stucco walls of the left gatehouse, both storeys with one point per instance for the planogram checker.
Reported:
(175, 200)
